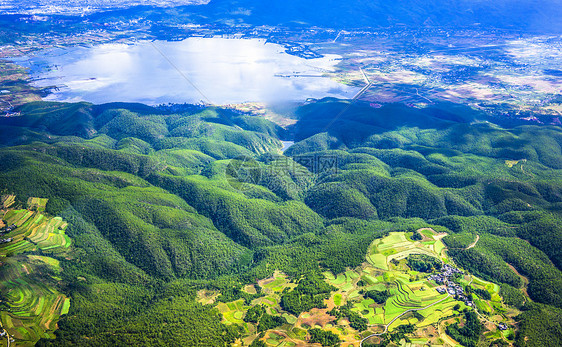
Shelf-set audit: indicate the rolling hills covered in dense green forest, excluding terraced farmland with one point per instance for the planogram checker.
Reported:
(155, 213)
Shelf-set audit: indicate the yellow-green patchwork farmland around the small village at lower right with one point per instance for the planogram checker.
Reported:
(413, 300)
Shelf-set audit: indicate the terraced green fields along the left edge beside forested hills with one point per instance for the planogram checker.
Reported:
(28, 283)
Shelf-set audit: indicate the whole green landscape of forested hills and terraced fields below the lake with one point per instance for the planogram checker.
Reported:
(326, 249)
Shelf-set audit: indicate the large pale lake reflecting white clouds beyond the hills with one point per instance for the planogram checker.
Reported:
(214, 70)
